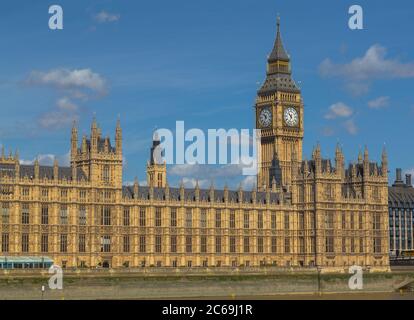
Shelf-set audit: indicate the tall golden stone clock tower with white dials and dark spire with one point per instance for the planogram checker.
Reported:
(279, 115)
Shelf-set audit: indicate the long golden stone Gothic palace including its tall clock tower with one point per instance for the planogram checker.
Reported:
(303, 213)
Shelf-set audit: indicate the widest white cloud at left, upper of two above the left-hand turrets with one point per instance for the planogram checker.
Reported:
(69, 79)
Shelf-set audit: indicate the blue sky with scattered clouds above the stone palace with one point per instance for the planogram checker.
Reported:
(153, 63)
